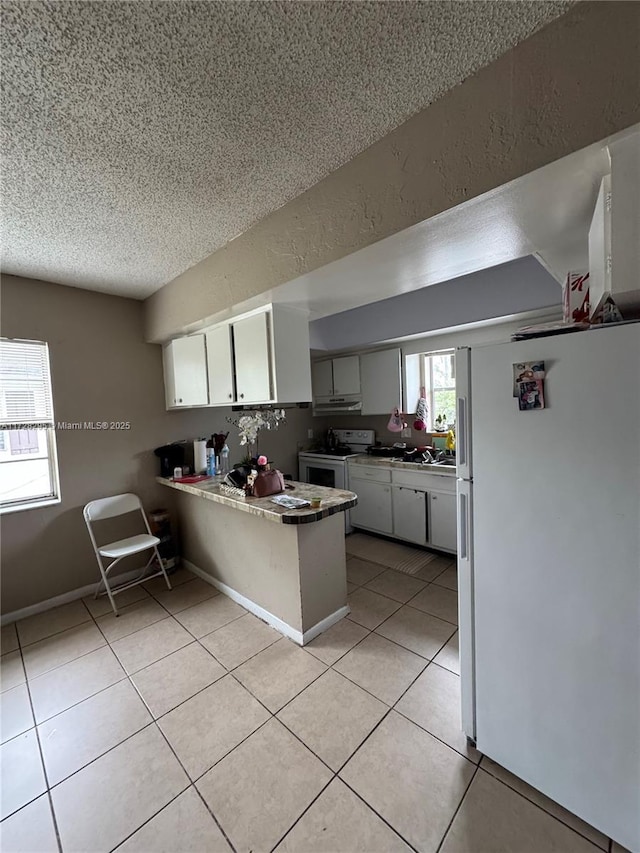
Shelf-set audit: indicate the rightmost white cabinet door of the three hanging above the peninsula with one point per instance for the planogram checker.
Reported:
(252, 359)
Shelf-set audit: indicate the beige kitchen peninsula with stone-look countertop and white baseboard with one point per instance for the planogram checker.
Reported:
(286, 566)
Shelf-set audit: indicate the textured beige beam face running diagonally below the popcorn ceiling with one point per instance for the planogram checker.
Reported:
(571, 84)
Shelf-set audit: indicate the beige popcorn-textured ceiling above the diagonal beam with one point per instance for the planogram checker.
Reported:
(137, 138)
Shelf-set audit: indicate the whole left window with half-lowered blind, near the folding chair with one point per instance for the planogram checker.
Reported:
(28, 464)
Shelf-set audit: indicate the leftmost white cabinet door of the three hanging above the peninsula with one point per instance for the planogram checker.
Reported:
(185, 371)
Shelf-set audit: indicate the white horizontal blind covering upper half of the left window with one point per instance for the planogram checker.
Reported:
(25, 383)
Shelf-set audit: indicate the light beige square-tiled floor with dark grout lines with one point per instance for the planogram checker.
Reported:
(188, 724)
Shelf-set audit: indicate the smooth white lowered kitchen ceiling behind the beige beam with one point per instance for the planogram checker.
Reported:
(545, 214)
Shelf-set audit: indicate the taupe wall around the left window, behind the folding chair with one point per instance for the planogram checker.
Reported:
(101, 370)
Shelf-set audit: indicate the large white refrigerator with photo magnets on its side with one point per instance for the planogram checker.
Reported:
(549, 569)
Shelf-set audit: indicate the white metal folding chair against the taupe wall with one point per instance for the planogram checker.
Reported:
(116, 551)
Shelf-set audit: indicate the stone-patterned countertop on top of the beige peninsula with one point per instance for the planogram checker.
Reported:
(333, 500)
